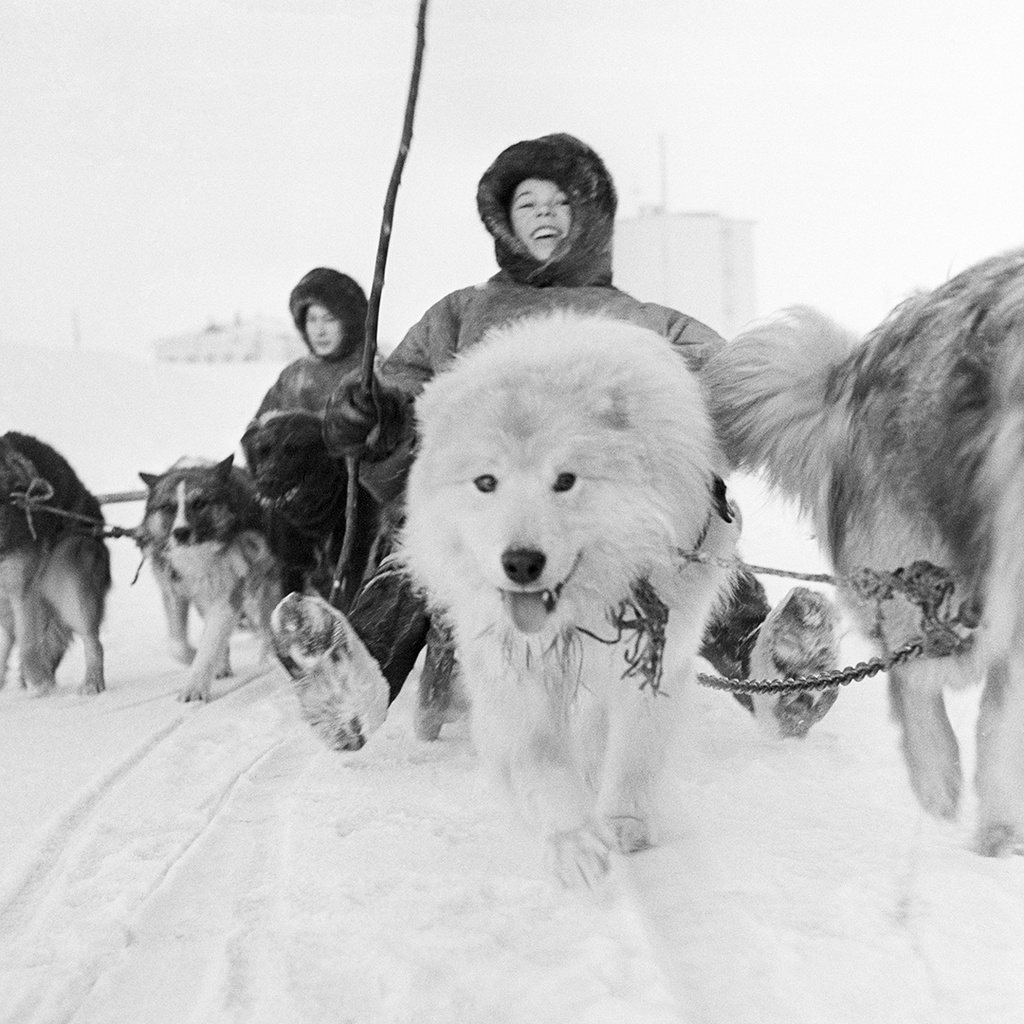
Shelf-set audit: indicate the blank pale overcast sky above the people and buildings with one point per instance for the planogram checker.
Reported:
(168, 162)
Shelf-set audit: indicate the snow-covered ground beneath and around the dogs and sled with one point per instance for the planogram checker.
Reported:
(163, 863)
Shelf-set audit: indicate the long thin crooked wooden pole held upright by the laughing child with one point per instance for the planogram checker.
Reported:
(344, 586)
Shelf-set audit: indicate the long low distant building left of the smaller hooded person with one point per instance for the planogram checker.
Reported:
(247, 340)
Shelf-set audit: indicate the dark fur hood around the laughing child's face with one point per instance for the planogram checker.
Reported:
(585, 257)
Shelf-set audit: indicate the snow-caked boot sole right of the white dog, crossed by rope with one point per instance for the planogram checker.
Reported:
(800, 637)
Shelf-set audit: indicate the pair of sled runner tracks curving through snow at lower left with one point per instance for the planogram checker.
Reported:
(68, 914)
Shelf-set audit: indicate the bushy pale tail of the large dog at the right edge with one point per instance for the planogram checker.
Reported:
(774, 403)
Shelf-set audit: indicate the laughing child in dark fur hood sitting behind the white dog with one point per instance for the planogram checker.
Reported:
(574, 273)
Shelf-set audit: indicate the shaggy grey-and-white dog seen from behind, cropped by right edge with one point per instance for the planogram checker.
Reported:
(908, 447)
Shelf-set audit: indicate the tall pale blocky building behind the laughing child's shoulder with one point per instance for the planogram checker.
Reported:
(700, 264)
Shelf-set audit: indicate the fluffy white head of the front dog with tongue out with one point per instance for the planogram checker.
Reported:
(554, 472)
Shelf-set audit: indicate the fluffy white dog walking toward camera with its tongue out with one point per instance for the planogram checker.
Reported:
(565, 463)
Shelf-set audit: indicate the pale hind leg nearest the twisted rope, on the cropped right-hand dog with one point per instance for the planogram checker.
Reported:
(929, 744)
